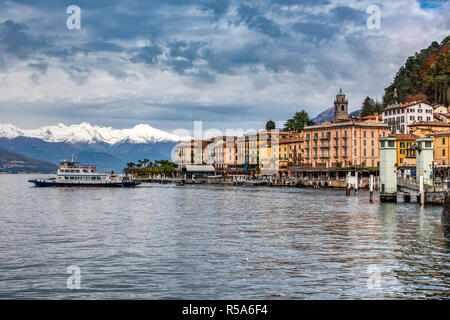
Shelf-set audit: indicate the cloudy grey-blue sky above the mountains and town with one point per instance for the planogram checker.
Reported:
(229, 63)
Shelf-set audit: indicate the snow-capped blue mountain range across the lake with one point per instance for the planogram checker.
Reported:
(105, 147)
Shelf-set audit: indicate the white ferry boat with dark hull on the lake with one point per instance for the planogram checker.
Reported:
(72, 174)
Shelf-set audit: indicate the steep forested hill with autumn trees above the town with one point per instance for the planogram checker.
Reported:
(426, 74)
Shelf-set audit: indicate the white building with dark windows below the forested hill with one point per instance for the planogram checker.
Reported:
(400, 116)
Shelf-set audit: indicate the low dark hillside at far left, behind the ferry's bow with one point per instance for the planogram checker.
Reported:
(11, 162)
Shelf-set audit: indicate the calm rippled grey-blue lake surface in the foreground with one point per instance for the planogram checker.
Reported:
(210, 242)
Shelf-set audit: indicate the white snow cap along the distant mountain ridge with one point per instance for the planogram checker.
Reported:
(87, 133)
